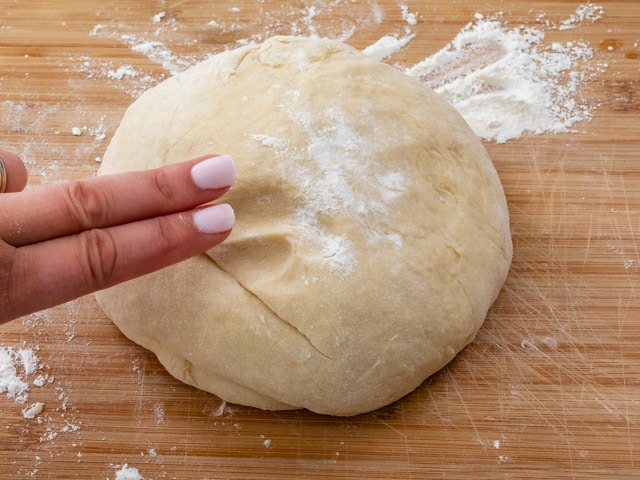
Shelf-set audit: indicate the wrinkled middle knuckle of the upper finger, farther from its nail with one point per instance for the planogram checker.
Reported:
(86, 204)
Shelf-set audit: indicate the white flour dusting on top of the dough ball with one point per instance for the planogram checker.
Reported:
(324, 174)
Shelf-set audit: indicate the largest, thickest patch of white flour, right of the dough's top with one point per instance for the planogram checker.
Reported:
(505, 82)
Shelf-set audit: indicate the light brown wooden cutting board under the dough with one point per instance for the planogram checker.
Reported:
(550, 387)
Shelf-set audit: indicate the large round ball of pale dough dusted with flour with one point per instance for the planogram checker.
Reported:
(372, 231)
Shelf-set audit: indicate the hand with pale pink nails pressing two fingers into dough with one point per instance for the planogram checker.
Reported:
(61, 241)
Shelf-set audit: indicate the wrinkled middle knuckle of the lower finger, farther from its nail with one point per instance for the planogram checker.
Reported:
(98, 254)
